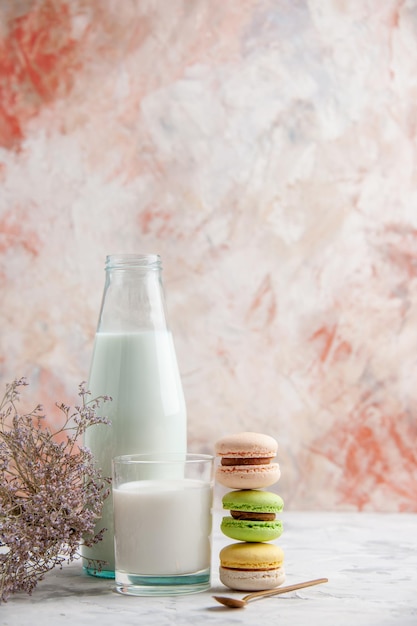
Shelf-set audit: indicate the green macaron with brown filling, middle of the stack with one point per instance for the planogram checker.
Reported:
(253, 514)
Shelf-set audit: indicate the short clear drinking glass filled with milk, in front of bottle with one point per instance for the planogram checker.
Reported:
(162, 505)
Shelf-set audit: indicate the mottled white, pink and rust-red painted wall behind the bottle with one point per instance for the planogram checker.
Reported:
(266, 149)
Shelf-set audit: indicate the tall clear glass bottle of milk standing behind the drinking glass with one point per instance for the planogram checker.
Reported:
(134, 362)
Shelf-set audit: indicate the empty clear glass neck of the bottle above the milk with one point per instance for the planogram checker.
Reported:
(133, 299)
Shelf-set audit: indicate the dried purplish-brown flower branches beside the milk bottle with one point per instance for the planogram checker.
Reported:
(51, 493)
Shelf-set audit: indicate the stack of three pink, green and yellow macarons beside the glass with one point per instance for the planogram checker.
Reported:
(246, 467)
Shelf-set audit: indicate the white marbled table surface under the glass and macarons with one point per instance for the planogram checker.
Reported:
(369, 559)
